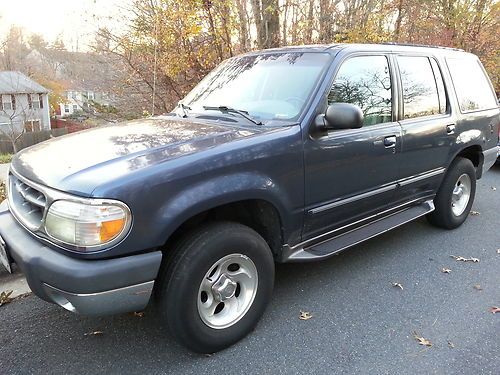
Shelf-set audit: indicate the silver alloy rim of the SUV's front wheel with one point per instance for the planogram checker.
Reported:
(227, 291)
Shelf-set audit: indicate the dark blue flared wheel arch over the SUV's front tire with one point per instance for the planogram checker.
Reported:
(248, 198)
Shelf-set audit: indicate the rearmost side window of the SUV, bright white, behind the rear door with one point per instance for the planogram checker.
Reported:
(471, 85)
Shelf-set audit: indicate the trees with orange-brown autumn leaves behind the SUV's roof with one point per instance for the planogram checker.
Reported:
(183, 40)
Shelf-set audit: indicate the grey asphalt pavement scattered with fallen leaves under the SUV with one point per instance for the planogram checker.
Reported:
(360, 324)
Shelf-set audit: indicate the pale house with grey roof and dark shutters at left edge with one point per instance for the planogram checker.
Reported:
(24, 104)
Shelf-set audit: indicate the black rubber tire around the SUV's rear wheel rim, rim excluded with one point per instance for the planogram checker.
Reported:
(443, 215)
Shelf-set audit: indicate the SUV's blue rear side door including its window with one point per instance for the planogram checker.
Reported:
(427, 124)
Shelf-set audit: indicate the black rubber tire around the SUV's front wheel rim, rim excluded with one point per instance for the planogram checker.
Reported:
(179, 284)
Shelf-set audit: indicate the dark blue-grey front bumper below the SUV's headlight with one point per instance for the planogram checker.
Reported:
(90, 287)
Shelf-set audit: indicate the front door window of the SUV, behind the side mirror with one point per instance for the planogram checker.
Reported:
(366, 82)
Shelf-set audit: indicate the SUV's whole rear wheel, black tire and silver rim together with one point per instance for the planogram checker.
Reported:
(454, 198)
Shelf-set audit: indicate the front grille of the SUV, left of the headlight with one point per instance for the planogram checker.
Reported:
(27, 203)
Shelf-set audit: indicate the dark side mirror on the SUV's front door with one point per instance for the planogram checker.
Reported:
(342, 116)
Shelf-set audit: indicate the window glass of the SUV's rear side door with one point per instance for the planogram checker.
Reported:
(420, 90)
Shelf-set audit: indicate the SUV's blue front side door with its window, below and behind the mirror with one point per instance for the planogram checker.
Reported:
(351, 173)
